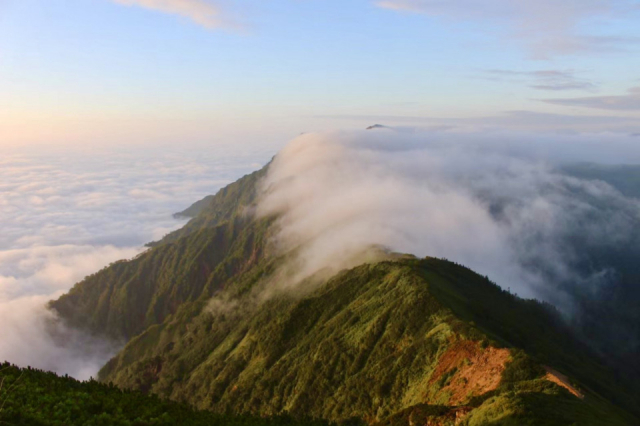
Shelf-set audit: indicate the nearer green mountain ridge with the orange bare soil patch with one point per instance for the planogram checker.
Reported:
(374, 341)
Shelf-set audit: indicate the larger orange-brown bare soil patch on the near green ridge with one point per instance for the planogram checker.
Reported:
(466, 370)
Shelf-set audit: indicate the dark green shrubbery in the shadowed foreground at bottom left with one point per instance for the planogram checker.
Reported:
(33, 397)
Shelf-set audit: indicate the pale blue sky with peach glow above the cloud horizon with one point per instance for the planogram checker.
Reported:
(259, 72)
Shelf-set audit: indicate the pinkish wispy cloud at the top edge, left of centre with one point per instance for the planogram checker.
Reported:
(201, 12)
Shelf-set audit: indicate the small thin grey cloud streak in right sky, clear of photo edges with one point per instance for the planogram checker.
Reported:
(554, 80)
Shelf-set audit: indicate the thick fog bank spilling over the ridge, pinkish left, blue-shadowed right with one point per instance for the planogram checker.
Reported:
(498, 203)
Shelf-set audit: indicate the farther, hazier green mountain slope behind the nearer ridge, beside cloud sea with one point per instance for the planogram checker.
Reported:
(125, 298)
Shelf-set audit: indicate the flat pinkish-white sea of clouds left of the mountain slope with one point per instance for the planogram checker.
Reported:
(68, 212)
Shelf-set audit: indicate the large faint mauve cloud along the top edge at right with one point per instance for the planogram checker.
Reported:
(548, 27)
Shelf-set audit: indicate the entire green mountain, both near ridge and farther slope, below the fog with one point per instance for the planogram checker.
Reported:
(208, 320)
